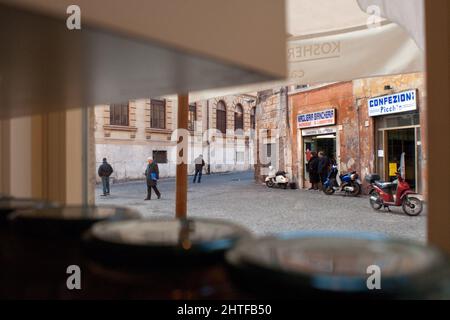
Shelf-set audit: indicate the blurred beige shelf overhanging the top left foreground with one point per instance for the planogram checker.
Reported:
(132, 49)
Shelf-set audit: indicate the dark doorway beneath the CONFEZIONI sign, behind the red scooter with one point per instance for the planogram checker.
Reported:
(401, 151)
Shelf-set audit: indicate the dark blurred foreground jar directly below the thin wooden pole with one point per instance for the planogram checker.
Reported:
(161, 259)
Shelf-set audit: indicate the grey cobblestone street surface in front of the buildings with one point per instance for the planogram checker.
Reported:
(238, 198)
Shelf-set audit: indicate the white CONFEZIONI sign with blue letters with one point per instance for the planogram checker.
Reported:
(395, 103)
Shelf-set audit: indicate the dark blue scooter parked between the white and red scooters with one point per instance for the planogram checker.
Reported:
(350, 183)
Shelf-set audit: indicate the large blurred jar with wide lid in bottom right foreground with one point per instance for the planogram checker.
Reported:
(342, 266)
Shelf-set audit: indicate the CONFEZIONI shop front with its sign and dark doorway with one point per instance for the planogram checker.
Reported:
(398, 136)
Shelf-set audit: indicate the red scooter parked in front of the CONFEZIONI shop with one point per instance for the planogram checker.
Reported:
(394, 194)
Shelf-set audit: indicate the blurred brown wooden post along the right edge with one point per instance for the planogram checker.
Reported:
(438, 108)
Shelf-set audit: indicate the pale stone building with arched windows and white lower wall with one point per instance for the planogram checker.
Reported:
(128, 134)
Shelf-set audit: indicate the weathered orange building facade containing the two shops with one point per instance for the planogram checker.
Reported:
(348, 133)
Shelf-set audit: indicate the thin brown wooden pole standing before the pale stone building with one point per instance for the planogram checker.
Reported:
(182, 156)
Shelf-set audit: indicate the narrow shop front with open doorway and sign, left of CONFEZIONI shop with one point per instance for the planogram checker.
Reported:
(318, 133)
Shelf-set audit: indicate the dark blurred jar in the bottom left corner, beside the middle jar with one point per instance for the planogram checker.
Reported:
(40, 246)
